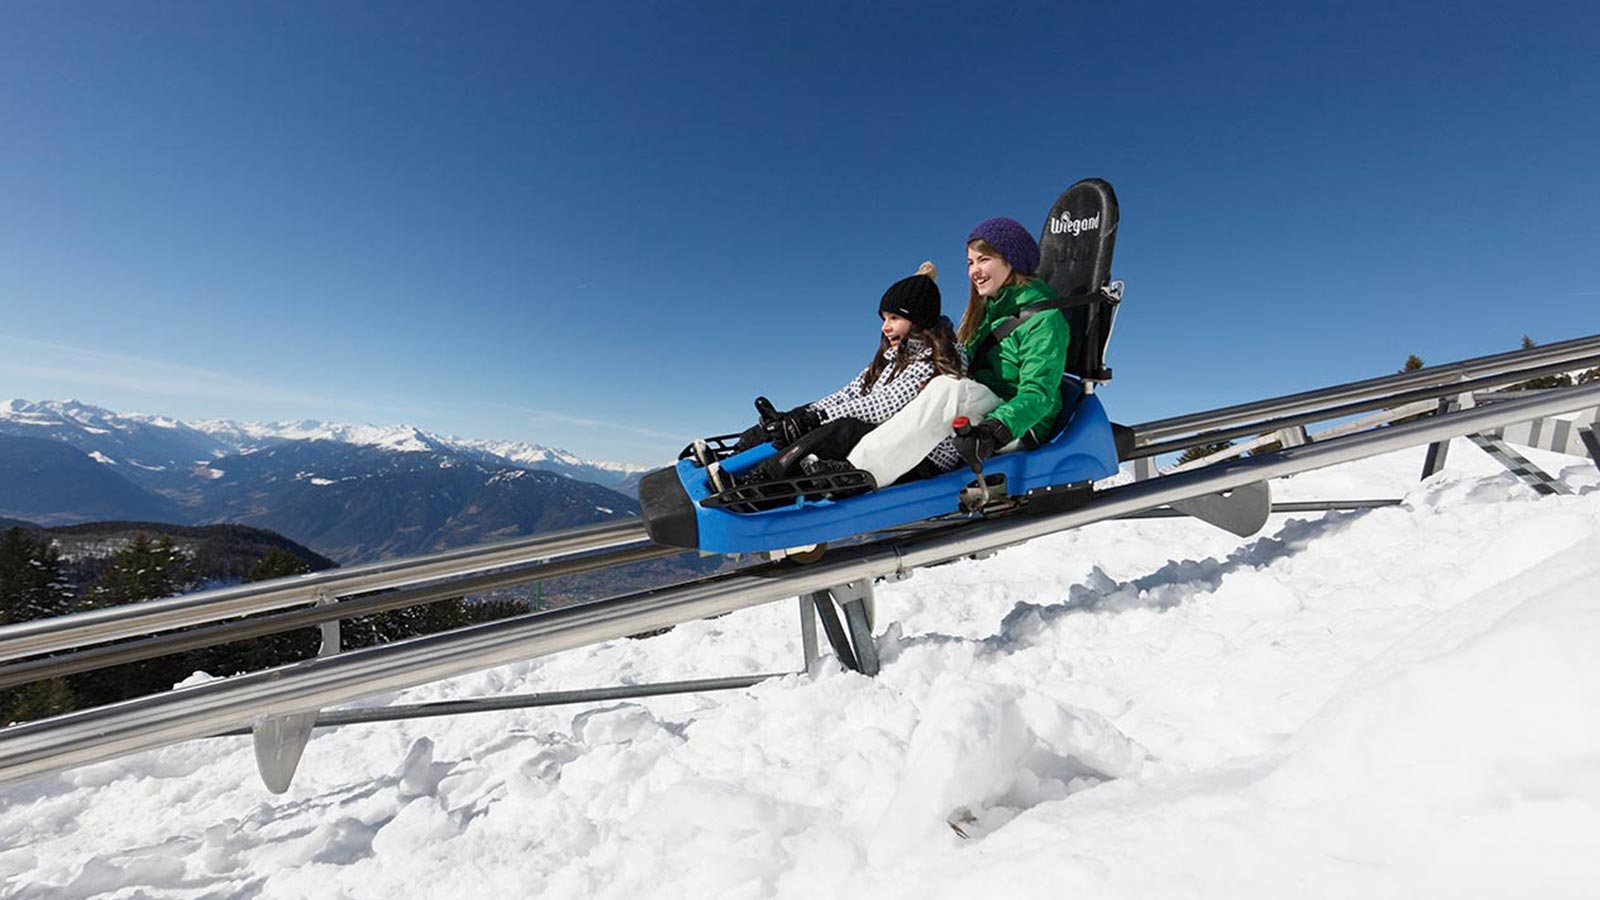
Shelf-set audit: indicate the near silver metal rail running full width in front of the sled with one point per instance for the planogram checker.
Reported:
(100, 734)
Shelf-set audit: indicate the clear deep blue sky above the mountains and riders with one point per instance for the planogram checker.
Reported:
(609, 227)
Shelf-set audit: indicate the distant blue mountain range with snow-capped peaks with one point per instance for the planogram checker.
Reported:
(350, 492)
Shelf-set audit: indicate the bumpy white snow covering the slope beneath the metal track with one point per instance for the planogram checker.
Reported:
(1391, 704)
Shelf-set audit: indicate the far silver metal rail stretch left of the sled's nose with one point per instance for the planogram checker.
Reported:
(132, 621)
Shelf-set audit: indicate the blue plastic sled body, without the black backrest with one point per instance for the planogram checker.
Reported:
(674, 516)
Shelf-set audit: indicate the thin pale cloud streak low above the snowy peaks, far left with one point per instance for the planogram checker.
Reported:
(100, 369)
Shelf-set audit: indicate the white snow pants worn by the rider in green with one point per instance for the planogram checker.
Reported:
(895, 448)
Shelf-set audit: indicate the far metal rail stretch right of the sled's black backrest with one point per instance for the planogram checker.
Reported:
(1372, 388)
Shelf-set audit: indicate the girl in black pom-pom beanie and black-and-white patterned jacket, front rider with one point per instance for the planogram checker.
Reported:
(918, 344)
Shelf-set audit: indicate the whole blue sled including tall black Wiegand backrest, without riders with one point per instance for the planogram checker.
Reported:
(684, 508)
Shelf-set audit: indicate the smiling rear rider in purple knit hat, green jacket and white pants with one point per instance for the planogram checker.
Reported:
(1015, 384)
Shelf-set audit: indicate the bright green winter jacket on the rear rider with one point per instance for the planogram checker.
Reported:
(1025, 368)
